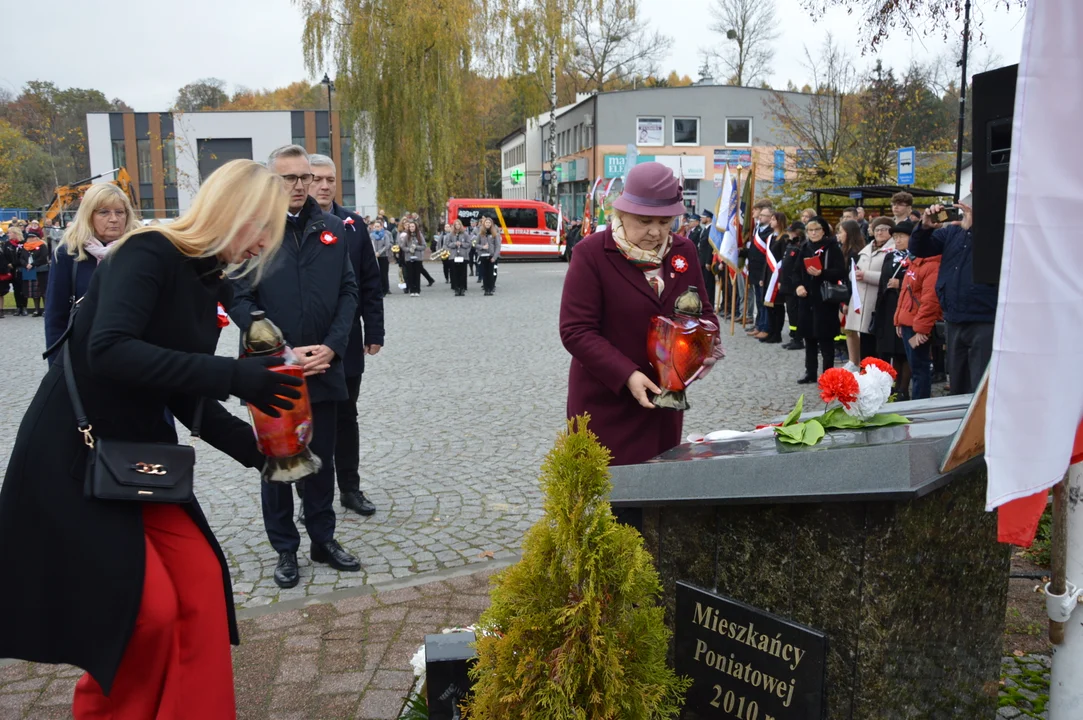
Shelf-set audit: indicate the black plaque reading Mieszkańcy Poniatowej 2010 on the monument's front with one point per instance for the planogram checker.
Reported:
(746, 663)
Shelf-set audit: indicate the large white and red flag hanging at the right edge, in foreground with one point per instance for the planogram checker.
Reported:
(1036, 388)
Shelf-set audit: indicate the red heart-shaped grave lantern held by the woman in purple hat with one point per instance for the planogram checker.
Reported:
(677, 347)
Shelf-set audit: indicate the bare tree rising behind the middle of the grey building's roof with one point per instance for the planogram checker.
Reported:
(749, 30)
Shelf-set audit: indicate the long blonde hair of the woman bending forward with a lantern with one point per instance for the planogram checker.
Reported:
(238, 194)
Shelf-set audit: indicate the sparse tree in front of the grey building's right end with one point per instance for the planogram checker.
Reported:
(820, 123)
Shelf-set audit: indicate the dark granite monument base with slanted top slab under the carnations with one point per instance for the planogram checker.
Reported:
(909, 588)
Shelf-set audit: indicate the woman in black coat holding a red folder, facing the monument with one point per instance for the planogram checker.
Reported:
(819, 321)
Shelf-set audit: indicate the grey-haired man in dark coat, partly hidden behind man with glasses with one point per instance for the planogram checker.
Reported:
(364, 341)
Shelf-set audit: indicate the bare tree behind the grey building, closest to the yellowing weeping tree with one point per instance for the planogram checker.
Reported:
(614, 45)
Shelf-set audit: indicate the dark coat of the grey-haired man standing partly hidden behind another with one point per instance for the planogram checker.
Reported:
(367, 271)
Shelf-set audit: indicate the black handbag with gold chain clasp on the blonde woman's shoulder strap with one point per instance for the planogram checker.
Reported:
(121, 470)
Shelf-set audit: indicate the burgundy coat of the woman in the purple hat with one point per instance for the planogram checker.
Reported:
(605, 315)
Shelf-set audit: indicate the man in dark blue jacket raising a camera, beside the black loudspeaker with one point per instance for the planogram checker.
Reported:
(970, 308)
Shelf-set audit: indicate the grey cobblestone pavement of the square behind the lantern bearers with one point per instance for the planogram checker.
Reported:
(456, 415)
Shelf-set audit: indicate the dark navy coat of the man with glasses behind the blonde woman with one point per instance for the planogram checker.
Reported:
(308, 291)
